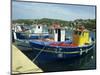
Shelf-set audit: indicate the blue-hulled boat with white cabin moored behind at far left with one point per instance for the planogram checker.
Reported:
(30, 31)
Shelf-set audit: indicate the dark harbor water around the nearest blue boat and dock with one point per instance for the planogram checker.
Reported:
(85, 62)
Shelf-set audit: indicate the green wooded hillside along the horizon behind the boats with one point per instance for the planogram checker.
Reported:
(88, 23)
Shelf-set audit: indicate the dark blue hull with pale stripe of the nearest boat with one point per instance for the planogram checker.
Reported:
(45, 53)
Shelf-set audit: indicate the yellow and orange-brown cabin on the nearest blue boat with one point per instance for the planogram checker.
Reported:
(81, 37)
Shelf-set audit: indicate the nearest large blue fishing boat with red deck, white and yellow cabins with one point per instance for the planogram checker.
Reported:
(59, 47)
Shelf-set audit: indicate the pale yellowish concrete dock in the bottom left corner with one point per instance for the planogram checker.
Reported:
(21, 63)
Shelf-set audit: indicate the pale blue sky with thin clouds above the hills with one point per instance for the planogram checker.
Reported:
(30, 10)
